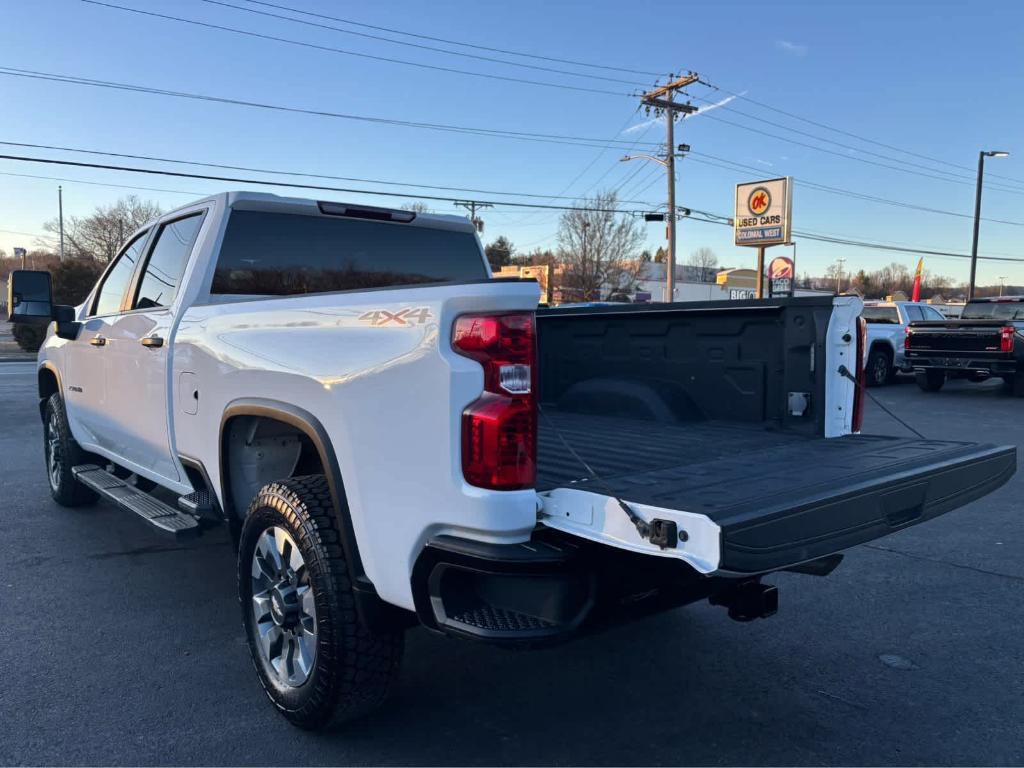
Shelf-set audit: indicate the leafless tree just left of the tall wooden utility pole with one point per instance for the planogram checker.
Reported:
(600, 250)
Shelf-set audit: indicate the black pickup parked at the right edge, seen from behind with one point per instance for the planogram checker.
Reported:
(988, 340)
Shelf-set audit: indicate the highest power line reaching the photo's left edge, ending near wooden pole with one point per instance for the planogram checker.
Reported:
(495, 133)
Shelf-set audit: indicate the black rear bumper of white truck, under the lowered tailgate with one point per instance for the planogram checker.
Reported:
(546, 590)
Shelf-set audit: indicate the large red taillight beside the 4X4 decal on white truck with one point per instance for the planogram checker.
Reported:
(499, 430)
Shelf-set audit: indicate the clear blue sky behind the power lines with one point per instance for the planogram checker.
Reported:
(942, 80)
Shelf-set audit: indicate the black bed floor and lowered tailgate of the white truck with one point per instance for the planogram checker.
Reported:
(752, 500)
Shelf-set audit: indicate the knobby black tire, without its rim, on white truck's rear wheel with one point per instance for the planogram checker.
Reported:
(354, 669)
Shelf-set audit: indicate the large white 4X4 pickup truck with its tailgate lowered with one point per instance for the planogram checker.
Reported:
(394, 438)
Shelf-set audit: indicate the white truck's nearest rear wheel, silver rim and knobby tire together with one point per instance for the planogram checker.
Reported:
(314, 657)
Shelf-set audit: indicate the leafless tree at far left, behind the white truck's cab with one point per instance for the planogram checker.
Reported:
(101, 235)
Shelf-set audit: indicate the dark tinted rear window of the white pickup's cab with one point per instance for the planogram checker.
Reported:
(283, 254)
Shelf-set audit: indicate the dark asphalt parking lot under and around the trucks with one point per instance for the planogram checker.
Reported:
(119, 648)
